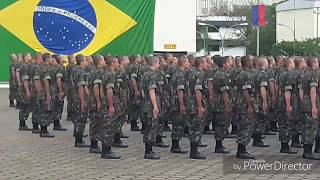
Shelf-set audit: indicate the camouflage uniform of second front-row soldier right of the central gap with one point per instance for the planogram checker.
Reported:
(178, 82)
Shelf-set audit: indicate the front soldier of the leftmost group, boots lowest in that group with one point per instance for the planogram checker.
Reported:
(42, 78)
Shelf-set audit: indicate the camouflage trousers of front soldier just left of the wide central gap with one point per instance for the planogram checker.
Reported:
(107, 129)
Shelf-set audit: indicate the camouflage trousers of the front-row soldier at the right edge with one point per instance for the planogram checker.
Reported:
(309, 128)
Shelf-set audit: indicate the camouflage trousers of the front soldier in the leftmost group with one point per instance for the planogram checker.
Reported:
(44, 114)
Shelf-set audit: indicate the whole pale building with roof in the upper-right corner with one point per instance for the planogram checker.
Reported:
(299, 19)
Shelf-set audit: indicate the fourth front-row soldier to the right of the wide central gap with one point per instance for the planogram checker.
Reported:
(221, 104)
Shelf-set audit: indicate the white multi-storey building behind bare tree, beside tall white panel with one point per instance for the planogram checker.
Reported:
(221, 35)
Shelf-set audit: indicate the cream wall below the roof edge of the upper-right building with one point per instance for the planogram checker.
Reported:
(305, 24)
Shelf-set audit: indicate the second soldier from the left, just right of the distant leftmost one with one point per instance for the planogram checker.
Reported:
(24, 93)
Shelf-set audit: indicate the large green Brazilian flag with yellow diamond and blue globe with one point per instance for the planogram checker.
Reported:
(117, 27)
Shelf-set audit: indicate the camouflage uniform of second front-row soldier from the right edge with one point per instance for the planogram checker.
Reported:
(287, 82)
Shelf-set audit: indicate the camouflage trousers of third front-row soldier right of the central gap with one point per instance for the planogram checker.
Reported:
(195, 128)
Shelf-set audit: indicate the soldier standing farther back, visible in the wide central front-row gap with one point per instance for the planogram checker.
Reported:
(135, 92)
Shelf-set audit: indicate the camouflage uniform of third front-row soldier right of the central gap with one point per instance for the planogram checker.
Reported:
(196, 80)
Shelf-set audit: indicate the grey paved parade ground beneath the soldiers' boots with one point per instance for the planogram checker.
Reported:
(24, 155)
